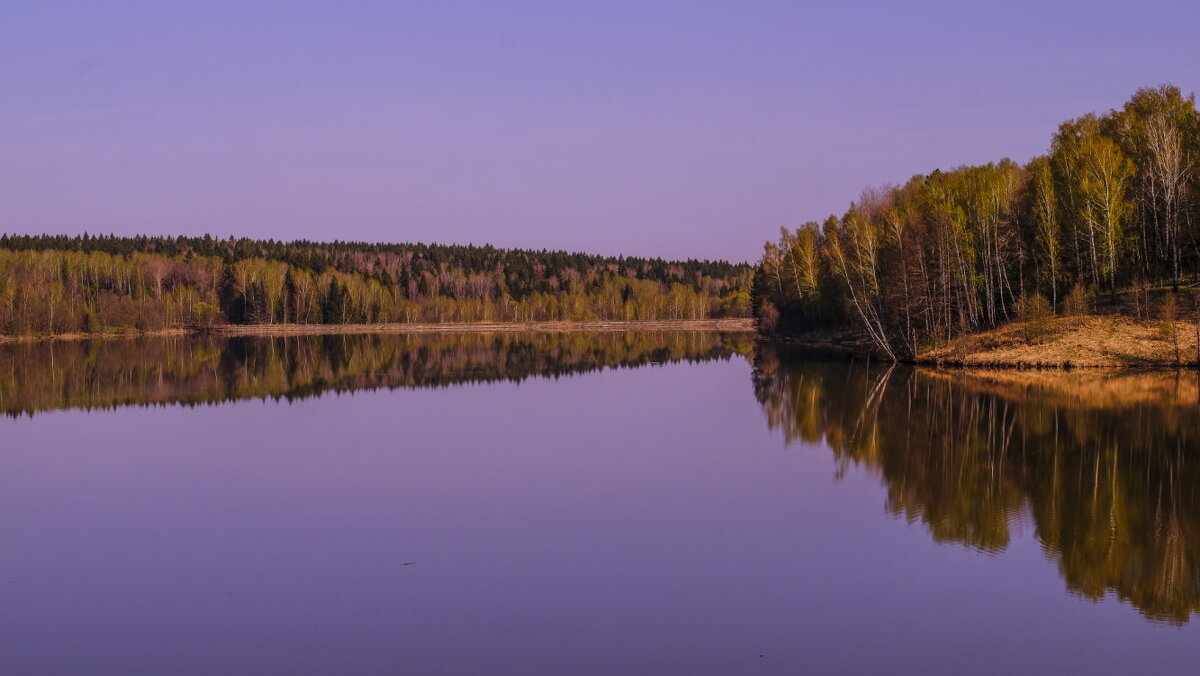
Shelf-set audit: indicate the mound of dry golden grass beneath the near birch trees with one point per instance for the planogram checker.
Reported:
(1071, 343)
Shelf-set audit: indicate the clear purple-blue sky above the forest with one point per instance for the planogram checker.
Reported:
(676, 129)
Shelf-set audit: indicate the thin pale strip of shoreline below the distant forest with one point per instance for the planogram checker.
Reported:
(730, 326)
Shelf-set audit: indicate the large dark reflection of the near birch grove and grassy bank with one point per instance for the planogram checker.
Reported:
(1105, 465)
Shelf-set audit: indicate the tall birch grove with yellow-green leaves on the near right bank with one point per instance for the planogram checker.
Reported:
(1112, 211)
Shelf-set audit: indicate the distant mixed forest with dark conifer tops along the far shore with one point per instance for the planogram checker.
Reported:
(55, 285)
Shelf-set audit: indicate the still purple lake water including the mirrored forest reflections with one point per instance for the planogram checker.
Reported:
(613, 504)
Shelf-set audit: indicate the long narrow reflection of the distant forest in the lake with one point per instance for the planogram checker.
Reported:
(205, 370)
